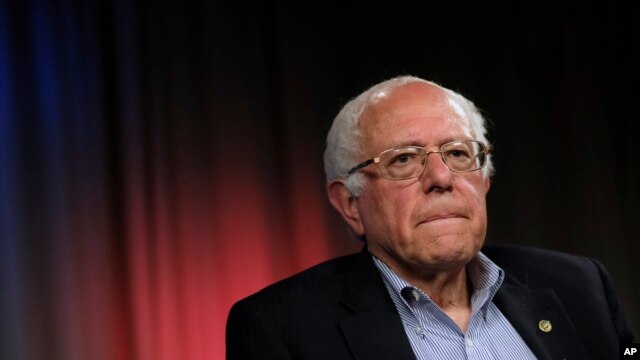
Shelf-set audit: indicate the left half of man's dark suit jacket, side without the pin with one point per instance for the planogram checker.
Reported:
(339, 309)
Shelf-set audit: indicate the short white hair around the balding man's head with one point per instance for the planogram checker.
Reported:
(344, 149)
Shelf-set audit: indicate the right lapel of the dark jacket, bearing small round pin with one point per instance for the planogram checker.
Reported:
(525, 308)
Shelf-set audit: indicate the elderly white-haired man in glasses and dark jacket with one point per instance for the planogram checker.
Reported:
(408, 168)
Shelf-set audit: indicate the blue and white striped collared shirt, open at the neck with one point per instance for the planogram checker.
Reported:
(433, 335)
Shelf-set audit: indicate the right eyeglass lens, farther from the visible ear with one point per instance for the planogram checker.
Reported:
(467, 155)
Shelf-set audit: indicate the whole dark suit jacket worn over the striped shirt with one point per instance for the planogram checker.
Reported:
(341, 310)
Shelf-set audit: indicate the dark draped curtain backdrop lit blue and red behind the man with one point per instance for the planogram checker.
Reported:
(159, 162)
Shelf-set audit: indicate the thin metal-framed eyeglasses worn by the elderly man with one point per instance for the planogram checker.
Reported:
(409, 161)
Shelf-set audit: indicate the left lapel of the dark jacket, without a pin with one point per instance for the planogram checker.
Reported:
(375, 330)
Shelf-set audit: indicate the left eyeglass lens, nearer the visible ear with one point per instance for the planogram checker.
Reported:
(403, 163)
